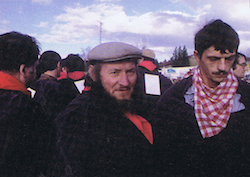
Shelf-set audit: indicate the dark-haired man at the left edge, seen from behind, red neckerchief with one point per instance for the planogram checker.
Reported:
(22, 123)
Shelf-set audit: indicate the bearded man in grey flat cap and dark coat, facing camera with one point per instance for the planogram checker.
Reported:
(101, 132)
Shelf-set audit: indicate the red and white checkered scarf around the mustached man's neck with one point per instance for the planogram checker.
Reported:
(213, 106)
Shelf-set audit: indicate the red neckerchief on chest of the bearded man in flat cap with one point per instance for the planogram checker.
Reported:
(142, 124)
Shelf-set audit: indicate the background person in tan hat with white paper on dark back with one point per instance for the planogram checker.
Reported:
(152, 83)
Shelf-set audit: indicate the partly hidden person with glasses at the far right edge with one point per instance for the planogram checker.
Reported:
(240, 68)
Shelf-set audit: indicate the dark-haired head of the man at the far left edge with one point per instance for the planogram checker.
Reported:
(18, 56)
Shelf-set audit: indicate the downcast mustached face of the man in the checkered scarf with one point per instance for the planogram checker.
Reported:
(215, 65)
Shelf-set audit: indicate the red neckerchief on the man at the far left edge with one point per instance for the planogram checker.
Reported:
(8, 82)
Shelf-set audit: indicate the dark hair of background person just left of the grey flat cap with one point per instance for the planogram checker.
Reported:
(73, 63)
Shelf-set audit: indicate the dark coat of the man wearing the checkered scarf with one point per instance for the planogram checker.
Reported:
(182, 151)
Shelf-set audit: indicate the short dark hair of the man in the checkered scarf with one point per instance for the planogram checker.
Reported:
(218, 34)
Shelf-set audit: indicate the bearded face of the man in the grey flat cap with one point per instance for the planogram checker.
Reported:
(118, 79)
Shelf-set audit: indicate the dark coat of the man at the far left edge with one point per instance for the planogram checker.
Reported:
(23, 138)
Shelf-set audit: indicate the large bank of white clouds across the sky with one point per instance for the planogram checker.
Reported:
(163, 30)
